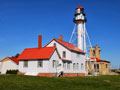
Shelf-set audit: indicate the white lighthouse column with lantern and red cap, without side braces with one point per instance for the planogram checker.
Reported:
(80, 21)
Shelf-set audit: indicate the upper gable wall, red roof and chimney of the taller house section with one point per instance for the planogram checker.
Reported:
(64, 48)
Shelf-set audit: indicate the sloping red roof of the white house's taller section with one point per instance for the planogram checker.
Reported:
(69, 46)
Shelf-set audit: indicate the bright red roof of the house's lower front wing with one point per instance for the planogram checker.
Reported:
(36, 53)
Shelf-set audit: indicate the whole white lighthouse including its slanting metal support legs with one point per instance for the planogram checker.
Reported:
(81, 36)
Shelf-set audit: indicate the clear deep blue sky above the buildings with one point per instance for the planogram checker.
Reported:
(21, 21)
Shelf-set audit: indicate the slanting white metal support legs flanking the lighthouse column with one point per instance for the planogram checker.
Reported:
(86, 46)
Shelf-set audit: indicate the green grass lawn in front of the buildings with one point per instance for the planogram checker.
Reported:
(19, 82)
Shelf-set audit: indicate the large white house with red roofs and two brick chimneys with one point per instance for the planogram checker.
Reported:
(57, 58)
